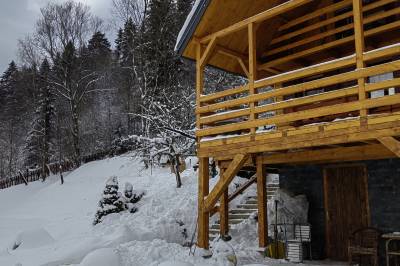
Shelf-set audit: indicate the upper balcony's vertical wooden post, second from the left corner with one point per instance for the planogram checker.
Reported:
(252, 69)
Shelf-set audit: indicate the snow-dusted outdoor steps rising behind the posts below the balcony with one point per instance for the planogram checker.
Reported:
(242, 211)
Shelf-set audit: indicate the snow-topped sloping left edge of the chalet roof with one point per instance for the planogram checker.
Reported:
(192, 20)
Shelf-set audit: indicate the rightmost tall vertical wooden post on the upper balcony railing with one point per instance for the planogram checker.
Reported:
(360, 48)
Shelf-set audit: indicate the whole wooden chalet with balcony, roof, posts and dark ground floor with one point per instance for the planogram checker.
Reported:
(321, 105)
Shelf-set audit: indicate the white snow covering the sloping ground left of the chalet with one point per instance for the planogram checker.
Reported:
(46, 223)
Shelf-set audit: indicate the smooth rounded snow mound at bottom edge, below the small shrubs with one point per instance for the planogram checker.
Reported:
(101, 257)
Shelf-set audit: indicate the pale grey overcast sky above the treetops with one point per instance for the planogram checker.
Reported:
(17, 18)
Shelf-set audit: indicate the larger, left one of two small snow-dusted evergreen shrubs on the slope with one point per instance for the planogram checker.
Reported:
(111, 201)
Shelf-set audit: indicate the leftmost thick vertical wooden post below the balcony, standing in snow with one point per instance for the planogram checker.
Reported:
(203, 215)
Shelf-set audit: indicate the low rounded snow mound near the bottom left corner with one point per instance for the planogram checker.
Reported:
(32, 239)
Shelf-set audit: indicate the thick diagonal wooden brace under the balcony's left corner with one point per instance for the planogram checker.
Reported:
(225, 180)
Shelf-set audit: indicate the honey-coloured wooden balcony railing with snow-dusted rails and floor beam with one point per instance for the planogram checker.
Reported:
(309, 108)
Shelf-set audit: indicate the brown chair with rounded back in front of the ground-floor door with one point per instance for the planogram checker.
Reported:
(363, 242)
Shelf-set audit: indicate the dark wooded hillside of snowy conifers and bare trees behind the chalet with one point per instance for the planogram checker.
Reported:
(74, 92)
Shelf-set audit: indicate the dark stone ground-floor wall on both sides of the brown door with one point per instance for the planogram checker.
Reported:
(383, 192)
